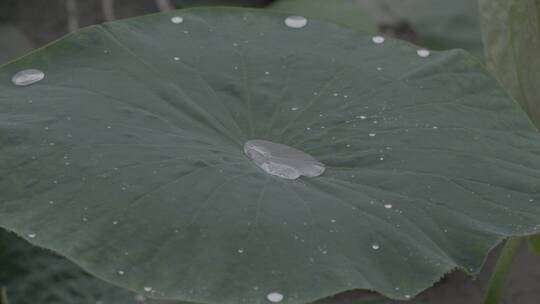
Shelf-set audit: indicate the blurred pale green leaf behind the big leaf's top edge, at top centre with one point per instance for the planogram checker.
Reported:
(346, 12)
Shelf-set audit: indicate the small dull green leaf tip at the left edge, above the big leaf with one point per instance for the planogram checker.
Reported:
(13, 43)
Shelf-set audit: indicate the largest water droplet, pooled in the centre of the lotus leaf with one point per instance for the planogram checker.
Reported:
(281, 160)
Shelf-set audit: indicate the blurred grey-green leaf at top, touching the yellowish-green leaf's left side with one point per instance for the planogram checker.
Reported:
(443, 24)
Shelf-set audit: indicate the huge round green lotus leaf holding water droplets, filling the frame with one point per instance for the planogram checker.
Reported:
(128, 157)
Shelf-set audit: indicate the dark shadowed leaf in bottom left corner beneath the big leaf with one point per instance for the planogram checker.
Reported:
(32, 275)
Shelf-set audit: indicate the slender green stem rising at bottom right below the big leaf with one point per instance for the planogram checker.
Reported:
(502, 268)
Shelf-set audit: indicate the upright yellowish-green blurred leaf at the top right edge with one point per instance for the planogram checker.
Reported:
(512, 42)
